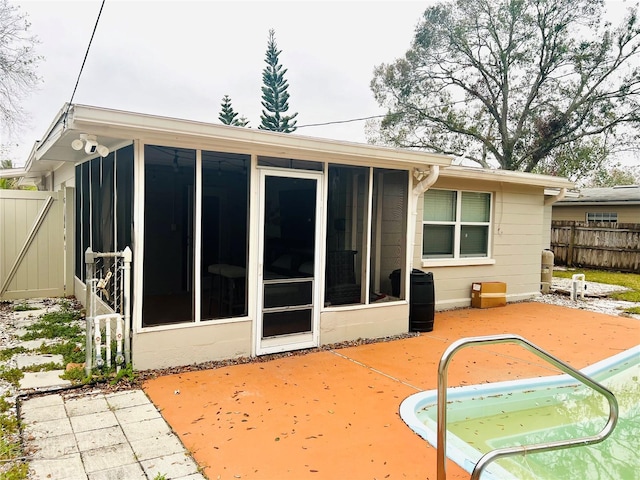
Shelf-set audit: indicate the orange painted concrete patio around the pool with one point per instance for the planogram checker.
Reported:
(333, 414)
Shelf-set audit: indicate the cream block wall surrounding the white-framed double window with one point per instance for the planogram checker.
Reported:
(518, 235)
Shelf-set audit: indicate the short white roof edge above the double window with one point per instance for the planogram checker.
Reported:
(506, 176)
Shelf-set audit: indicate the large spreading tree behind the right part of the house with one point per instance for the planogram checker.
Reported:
(512, 83)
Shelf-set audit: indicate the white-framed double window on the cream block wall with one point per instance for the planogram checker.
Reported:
(456, 224)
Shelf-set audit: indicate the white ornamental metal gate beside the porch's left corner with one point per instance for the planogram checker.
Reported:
(108, 290)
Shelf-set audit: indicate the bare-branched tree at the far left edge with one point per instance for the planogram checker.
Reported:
(18, 63)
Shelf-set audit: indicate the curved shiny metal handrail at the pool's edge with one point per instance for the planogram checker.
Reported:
(522, 449)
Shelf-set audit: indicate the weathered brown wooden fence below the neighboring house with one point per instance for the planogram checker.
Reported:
(607, 246)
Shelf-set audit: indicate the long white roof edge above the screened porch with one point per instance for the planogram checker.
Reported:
(114, 123)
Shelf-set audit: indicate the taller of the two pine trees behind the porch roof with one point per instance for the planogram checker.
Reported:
(275, 97)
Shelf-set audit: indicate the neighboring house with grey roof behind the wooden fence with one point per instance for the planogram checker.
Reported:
(619, 204)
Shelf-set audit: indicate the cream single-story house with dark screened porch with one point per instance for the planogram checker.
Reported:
(248, 242)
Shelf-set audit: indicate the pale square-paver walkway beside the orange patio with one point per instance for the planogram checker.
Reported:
(101, 436)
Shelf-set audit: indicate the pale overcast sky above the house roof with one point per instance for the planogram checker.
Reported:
(178, 58)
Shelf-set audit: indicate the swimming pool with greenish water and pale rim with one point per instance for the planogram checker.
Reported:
(481, 418)
